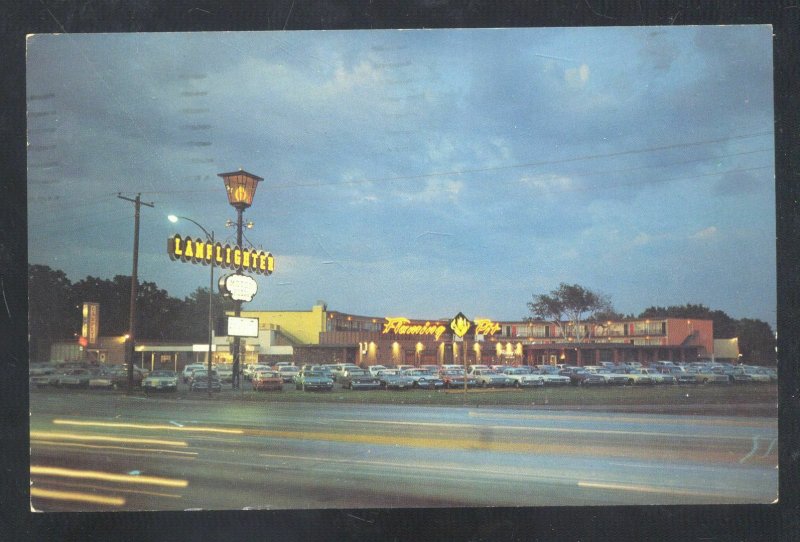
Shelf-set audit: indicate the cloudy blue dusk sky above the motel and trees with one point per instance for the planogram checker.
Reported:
(418, 173)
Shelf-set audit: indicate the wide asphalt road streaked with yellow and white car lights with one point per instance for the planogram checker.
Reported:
(105, 452)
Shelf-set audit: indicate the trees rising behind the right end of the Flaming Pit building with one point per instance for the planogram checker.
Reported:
(571, 306)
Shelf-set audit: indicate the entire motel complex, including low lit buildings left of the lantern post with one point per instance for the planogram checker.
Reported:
(319, 336)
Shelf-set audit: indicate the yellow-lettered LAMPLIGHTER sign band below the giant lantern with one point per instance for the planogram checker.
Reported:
(225, 256)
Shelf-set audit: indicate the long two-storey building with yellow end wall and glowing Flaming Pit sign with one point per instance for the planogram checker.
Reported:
(333, 336)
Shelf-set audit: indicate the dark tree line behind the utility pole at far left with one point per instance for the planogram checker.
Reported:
(55, 303)
